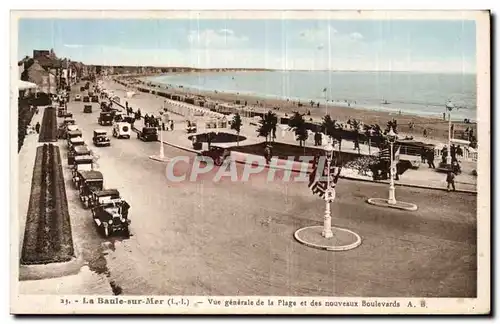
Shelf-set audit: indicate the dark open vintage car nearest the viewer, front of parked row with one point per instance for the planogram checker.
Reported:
(110, 212)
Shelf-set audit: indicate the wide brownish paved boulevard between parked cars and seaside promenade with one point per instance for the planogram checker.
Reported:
(236, 238)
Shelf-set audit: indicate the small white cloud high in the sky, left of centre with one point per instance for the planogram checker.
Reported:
(210, 38)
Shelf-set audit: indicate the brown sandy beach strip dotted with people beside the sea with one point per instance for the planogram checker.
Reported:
(437, 128)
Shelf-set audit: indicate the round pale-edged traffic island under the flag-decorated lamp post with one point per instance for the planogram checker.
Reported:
(342, 240)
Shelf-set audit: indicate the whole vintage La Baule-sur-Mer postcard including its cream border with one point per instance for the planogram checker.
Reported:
(250, 162)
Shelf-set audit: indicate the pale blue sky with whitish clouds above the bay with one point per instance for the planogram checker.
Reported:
(373, 45)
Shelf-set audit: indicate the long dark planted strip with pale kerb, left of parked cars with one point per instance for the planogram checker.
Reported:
(48, 248)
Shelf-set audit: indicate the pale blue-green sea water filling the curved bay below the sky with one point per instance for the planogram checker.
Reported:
(424, 94)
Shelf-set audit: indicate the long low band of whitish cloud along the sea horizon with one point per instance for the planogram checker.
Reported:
(299, 59)
